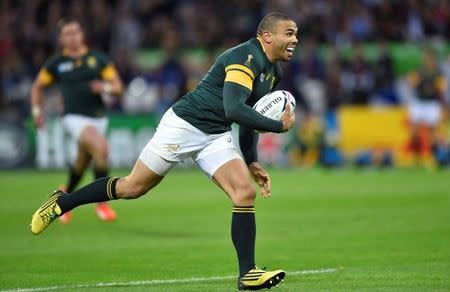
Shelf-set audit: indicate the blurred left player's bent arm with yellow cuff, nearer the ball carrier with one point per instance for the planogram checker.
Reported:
(110, 83)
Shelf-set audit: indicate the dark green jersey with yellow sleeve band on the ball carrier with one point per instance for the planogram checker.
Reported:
(245, 64)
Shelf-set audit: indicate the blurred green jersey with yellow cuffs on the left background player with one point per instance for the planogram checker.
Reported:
(73, 76)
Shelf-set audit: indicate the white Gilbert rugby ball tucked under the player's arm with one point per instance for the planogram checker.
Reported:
(272, 104)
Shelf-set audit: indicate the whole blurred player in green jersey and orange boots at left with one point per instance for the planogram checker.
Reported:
(83, 76)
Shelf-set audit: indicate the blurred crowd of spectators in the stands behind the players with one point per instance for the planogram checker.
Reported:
(162, 48)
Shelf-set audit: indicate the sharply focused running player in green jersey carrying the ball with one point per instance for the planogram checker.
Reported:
(198, 127)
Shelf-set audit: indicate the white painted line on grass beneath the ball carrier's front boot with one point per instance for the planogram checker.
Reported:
(158, 282)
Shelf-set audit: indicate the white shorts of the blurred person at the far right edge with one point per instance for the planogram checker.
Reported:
(426, 112)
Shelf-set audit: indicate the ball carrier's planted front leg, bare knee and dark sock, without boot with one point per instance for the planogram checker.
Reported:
(233, 177)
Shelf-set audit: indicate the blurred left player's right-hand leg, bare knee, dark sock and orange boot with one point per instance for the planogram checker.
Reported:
(97, 146)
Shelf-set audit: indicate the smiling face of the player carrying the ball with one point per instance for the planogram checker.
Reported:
(285, 39)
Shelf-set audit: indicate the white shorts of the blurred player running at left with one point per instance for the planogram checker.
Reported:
(74, 124)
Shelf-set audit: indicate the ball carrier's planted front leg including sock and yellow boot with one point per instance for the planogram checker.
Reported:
(234, 178)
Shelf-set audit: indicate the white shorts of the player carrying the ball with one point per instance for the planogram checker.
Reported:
(175, 140)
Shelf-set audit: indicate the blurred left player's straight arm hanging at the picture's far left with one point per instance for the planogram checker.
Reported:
(43, 79)
